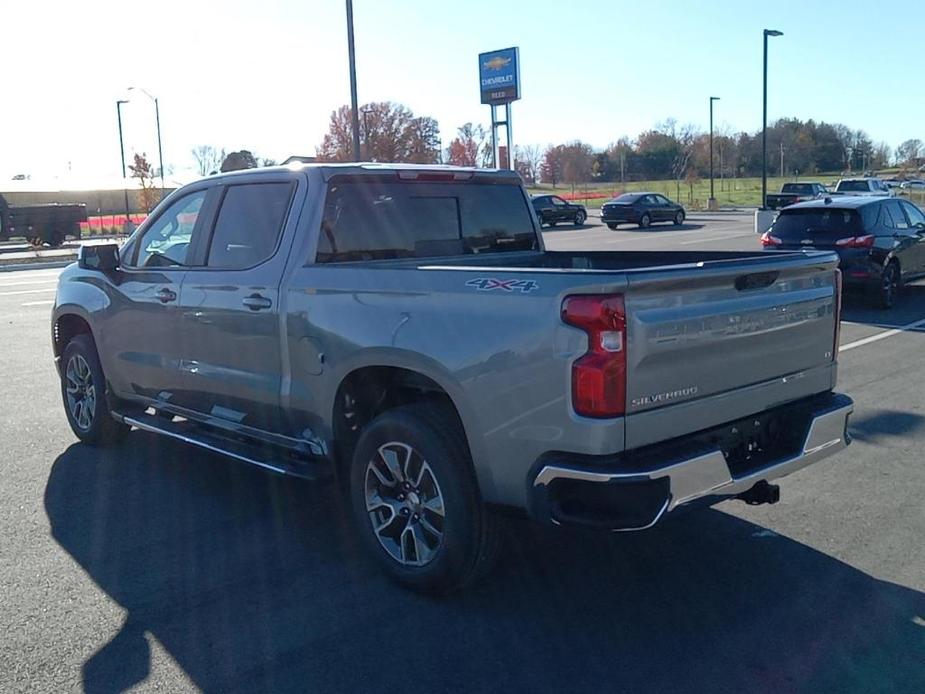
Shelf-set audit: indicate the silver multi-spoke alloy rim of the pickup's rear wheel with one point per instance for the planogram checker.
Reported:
(404, 504)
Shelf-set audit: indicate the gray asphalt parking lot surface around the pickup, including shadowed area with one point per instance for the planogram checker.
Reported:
(164, 568)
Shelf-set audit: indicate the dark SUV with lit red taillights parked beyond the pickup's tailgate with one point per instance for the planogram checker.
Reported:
(881, 241)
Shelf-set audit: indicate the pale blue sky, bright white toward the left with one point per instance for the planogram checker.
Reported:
(266, 75)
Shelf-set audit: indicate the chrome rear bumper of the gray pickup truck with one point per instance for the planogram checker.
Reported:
(683, 481)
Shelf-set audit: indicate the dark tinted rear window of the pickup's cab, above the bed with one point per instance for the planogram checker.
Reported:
(377, 220)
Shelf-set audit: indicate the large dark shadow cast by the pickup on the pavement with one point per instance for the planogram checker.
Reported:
(253, 582)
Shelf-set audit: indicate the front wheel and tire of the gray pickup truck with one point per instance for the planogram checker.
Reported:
(83, 391)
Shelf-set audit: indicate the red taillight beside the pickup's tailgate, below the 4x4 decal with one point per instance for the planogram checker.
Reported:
(599, 376)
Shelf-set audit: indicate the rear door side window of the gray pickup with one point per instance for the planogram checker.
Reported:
(248, 226)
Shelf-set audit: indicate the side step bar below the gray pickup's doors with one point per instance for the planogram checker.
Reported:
(267, 457)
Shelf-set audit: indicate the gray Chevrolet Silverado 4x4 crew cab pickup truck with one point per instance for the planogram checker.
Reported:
(404, 329)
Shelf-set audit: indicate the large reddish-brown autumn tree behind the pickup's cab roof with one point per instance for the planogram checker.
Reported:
(389, 132)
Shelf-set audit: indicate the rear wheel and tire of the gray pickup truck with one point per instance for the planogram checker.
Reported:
(410, 464)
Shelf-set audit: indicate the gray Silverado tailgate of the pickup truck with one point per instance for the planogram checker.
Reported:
(698, 334)
